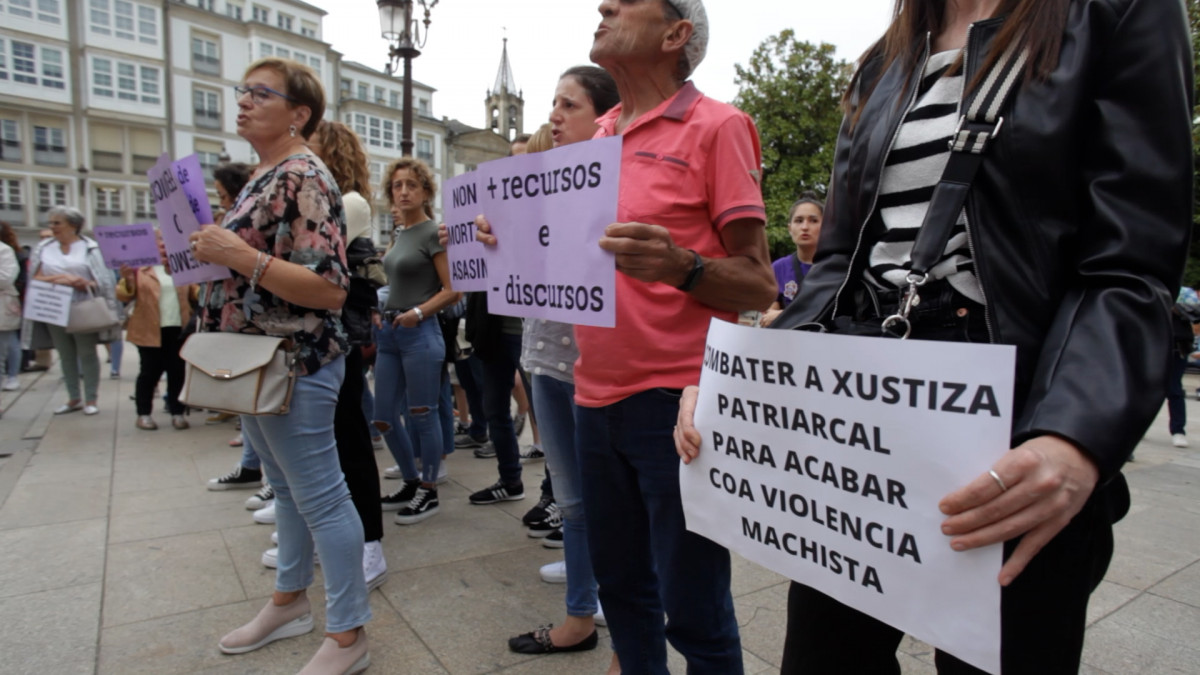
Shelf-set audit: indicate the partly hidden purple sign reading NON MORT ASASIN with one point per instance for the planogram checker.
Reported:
(469, 259)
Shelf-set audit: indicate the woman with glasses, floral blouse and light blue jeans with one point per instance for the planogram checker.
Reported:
(284, 242)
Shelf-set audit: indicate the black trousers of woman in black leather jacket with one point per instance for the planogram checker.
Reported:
(1043, 613)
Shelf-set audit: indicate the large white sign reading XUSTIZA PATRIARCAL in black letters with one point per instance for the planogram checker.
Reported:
(825, 457)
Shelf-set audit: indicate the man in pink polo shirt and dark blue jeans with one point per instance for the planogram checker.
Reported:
(691, 246)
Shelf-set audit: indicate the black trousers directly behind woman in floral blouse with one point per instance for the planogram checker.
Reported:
(355, 450)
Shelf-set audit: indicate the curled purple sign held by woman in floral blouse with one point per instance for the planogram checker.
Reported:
(177, 222)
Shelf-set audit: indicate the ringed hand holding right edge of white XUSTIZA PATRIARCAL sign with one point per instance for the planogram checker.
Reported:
(1046, 483)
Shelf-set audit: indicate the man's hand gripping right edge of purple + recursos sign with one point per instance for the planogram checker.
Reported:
(647, 253)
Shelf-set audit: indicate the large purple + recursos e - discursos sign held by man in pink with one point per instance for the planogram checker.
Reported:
(549, 212)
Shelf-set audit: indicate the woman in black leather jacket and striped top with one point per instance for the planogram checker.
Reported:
(1061, 133)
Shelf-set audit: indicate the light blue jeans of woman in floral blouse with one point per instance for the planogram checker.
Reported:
(313, 504)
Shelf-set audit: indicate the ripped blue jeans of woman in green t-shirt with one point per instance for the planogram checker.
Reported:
(409, 378)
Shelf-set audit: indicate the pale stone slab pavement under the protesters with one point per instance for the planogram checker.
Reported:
(115, 559)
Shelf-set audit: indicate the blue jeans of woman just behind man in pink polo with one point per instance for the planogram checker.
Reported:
(554, 401)
